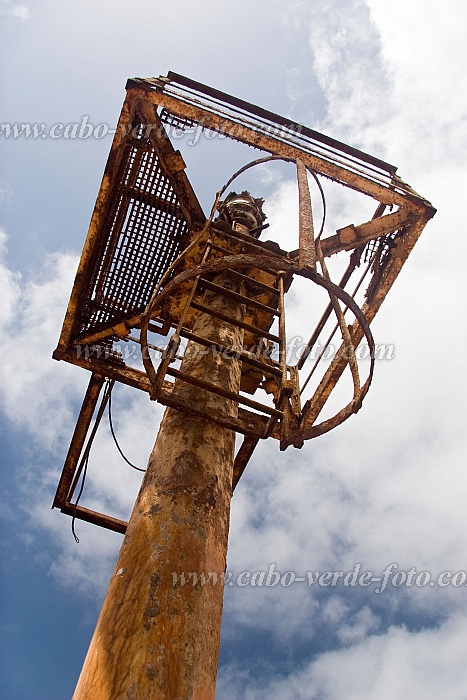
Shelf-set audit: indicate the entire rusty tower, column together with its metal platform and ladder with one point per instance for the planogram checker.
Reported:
(156, 266)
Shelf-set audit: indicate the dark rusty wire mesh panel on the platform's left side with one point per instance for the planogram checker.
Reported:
(145, 234)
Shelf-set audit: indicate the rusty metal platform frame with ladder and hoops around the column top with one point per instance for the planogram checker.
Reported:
(151, 253)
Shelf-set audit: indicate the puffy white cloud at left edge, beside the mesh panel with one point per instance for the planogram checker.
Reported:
(32, 383)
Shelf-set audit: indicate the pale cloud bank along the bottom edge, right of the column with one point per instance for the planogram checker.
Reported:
(393, 666)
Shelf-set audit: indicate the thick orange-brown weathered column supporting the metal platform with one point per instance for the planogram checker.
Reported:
(157, 637)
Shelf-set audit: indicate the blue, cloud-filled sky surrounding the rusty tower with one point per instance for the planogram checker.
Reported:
(387, 487)
